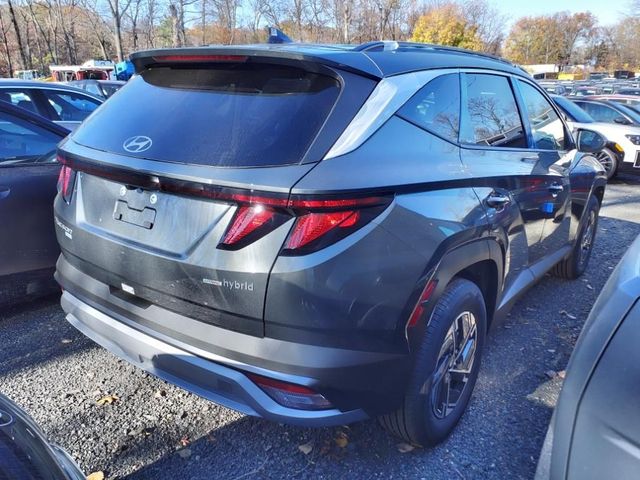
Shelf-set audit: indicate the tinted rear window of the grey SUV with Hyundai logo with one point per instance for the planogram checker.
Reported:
(231, 115)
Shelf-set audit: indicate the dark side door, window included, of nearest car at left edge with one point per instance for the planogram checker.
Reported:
(28, 174)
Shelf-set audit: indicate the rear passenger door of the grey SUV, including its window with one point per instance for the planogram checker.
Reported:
(496, 151)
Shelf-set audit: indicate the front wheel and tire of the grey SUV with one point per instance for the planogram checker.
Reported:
(576, 263)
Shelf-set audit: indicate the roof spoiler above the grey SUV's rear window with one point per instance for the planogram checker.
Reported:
(308, 57)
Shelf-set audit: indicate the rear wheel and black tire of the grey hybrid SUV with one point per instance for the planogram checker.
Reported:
(423, 419)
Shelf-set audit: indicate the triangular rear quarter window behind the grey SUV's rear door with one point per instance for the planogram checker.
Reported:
(436, 107)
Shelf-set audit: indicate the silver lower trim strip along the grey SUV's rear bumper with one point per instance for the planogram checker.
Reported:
(213, 381)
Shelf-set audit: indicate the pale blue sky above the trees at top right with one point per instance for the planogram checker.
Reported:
(607, 11)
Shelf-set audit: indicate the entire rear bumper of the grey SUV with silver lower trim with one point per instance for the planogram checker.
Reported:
(212, 361)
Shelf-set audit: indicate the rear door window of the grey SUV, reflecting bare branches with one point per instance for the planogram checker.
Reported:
(492, 113)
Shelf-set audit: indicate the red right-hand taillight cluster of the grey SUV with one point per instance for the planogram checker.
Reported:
(318, 222)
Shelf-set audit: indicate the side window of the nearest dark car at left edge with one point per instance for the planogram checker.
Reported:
(24, 142)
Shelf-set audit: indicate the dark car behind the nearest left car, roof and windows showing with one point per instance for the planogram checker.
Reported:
(67, 106)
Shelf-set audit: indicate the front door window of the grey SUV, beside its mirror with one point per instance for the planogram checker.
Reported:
(546, 126)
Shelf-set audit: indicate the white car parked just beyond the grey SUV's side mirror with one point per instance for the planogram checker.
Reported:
(620, 145)
